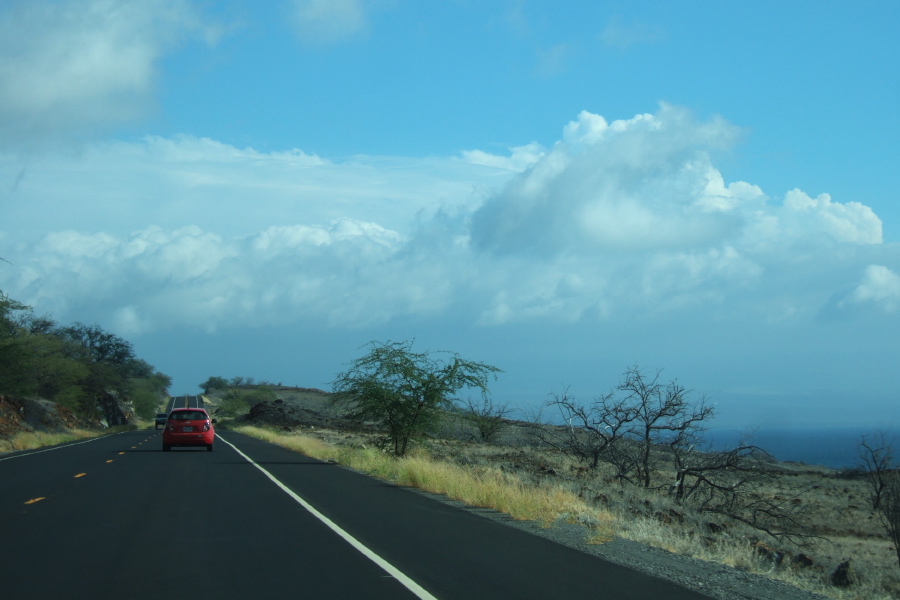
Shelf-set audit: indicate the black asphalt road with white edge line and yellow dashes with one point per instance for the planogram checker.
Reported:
(118, 518)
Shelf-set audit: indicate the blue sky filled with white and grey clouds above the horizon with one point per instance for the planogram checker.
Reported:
(562, 190)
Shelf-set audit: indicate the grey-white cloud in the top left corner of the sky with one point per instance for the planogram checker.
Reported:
(72, 66)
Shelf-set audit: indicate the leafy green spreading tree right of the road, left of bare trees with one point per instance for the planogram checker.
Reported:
(406, 392)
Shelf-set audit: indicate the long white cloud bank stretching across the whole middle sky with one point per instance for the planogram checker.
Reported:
(622, 219)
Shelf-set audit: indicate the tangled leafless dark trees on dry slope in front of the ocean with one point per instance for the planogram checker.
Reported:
(651, 433)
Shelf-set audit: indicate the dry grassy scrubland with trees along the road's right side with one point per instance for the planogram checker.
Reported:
(629, 464)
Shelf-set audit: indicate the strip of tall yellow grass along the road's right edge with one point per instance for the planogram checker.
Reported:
(483, 487)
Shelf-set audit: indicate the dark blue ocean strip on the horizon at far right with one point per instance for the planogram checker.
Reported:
(834, 447)
